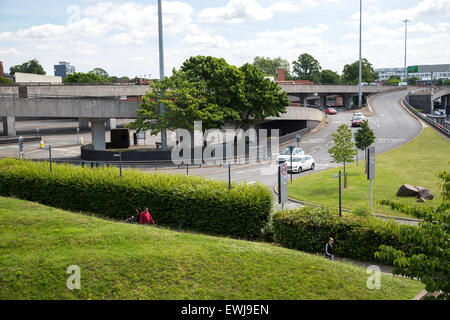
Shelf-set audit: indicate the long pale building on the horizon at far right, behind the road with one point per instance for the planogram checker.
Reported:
(423, 72)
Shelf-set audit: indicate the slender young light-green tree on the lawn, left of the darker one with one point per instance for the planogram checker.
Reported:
(343, 149)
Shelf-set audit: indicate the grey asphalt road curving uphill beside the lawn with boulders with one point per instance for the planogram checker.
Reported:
(393, 126)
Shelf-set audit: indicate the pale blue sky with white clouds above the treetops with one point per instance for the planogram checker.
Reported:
(122, 36)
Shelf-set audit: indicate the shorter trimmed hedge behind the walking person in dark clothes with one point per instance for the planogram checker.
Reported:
(308, 229)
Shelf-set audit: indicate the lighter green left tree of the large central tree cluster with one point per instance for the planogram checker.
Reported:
(185, 102)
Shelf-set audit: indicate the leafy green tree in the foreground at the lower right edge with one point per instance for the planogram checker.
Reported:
(429, 257)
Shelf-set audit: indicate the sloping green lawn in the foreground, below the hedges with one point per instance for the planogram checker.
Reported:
(122, 261)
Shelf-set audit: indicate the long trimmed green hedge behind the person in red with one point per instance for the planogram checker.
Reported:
(178, 201)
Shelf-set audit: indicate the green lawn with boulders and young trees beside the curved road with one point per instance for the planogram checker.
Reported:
(415, 163)
